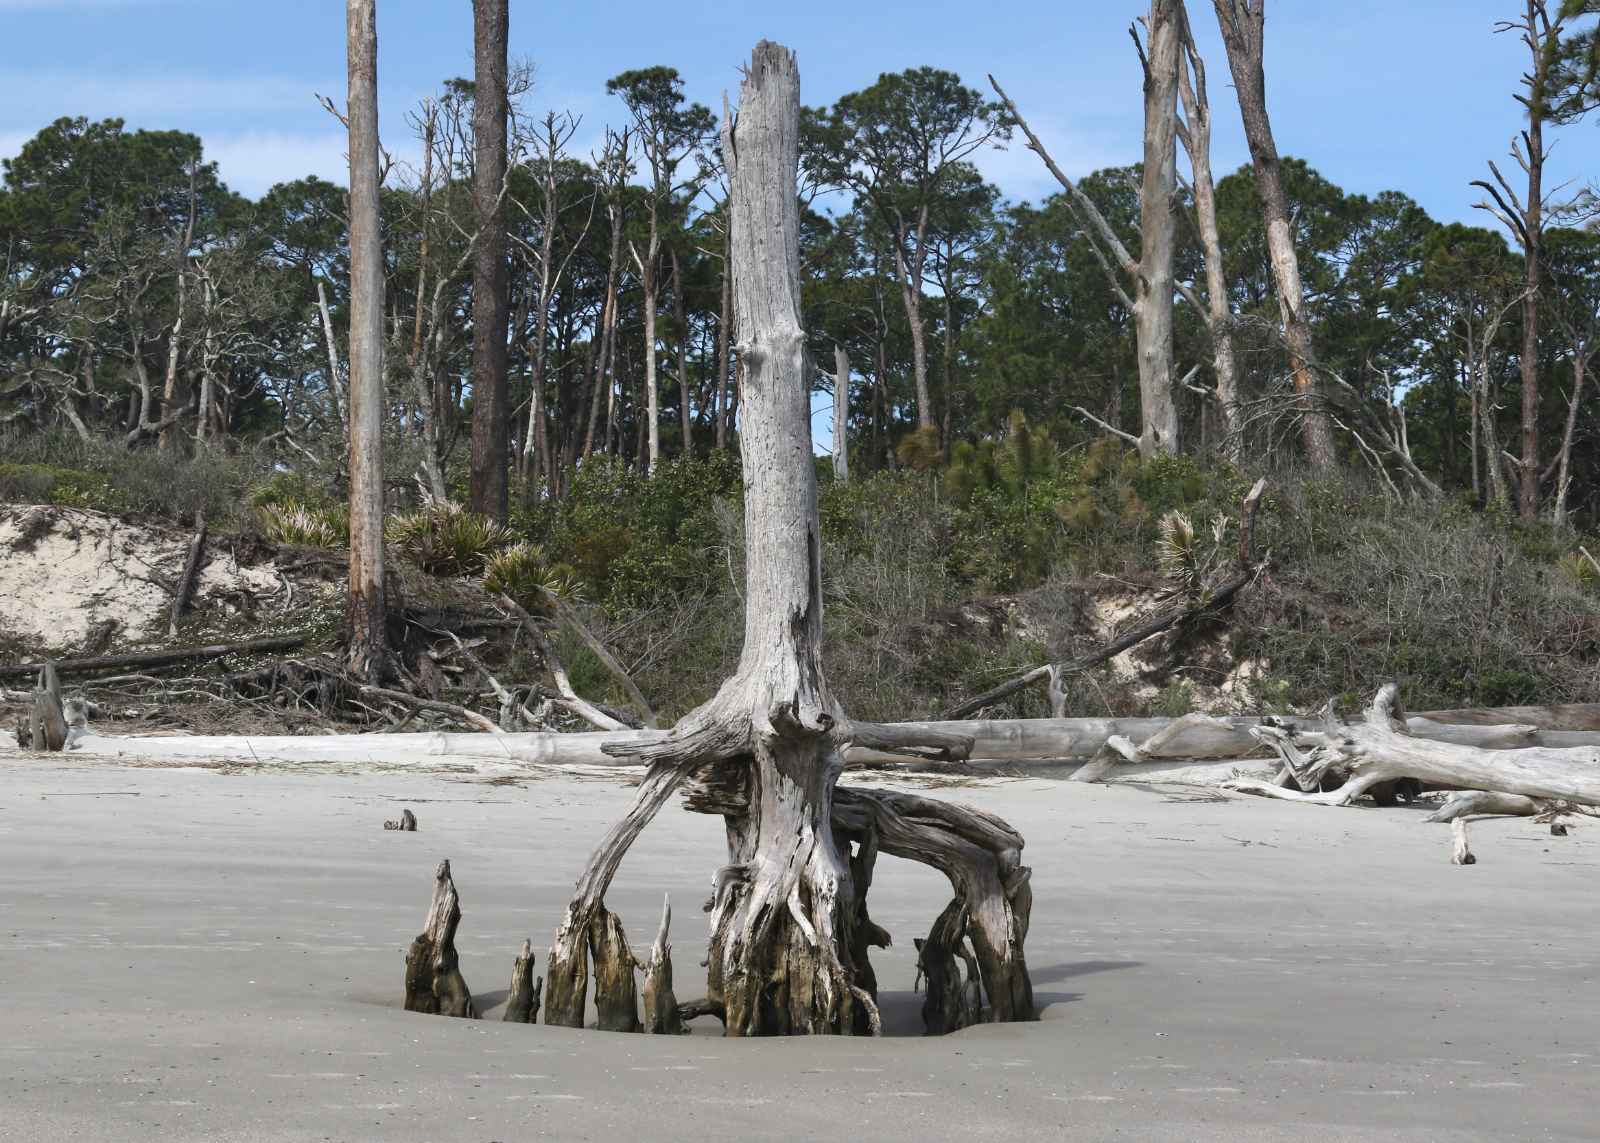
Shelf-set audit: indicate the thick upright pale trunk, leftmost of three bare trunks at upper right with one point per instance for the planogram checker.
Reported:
(1158, 230)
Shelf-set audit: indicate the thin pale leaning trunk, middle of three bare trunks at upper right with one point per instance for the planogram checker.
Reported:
(1220, 311)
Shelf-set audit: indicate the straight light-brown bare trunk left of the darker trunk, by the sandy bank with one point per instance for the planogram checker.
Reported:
(369, 657)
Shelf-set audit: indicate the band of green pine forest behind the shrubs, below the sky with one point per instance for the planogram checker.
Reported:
(146, 303)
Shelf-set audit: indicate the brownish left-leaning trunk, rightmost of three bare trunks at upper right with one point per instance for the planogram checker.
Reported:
(1242, 23)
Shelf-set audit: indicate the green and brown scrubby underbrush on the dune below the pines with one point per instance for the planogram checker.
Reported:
(946, 579)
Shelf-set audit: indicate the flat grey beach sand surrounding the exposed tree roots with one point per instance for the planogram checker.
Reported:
(218, 957)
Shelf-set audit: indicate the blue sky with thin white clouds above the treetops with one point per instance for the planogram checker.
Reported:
(1350, 87)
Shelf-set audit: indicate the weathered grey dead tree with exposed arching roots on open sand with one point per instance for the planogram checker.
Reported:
(790, 926)
